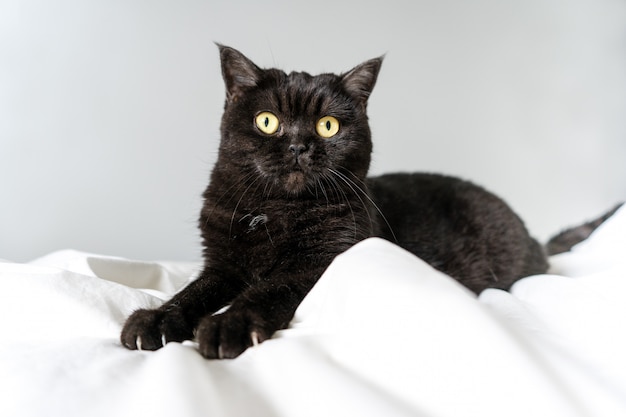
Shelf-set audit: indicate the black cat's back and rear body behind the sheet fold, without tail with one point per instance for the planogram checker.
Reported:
(456, 226)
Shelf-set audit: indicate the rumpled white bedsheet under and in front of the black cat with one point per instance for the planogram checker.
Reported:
(381, 334)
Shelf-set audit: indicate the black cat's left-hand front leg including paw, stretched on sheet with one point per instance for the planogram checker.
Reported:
(176, 320)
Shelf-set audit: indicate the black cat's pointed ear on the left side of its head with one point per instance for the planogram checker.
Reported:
(239, 72)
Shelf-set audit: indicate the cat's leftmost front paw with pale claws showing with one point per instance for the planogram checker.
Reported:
(152, 329)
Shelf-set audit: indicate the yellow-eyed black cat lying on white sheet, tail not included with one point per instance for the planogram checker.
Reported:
(289, 193)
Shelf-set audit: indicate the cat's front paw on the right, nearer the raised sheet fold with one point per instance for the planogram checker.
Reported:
(228, 335)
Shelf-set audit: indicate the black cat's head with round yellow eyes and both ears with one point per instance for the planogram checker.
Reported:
(295, 130)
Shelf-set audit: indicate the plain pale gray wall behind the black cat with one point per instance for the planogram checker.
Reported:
(110, 109)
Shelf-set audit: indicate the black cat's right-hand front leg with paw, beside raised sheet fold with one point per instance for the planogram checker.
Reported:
(254, 316)
